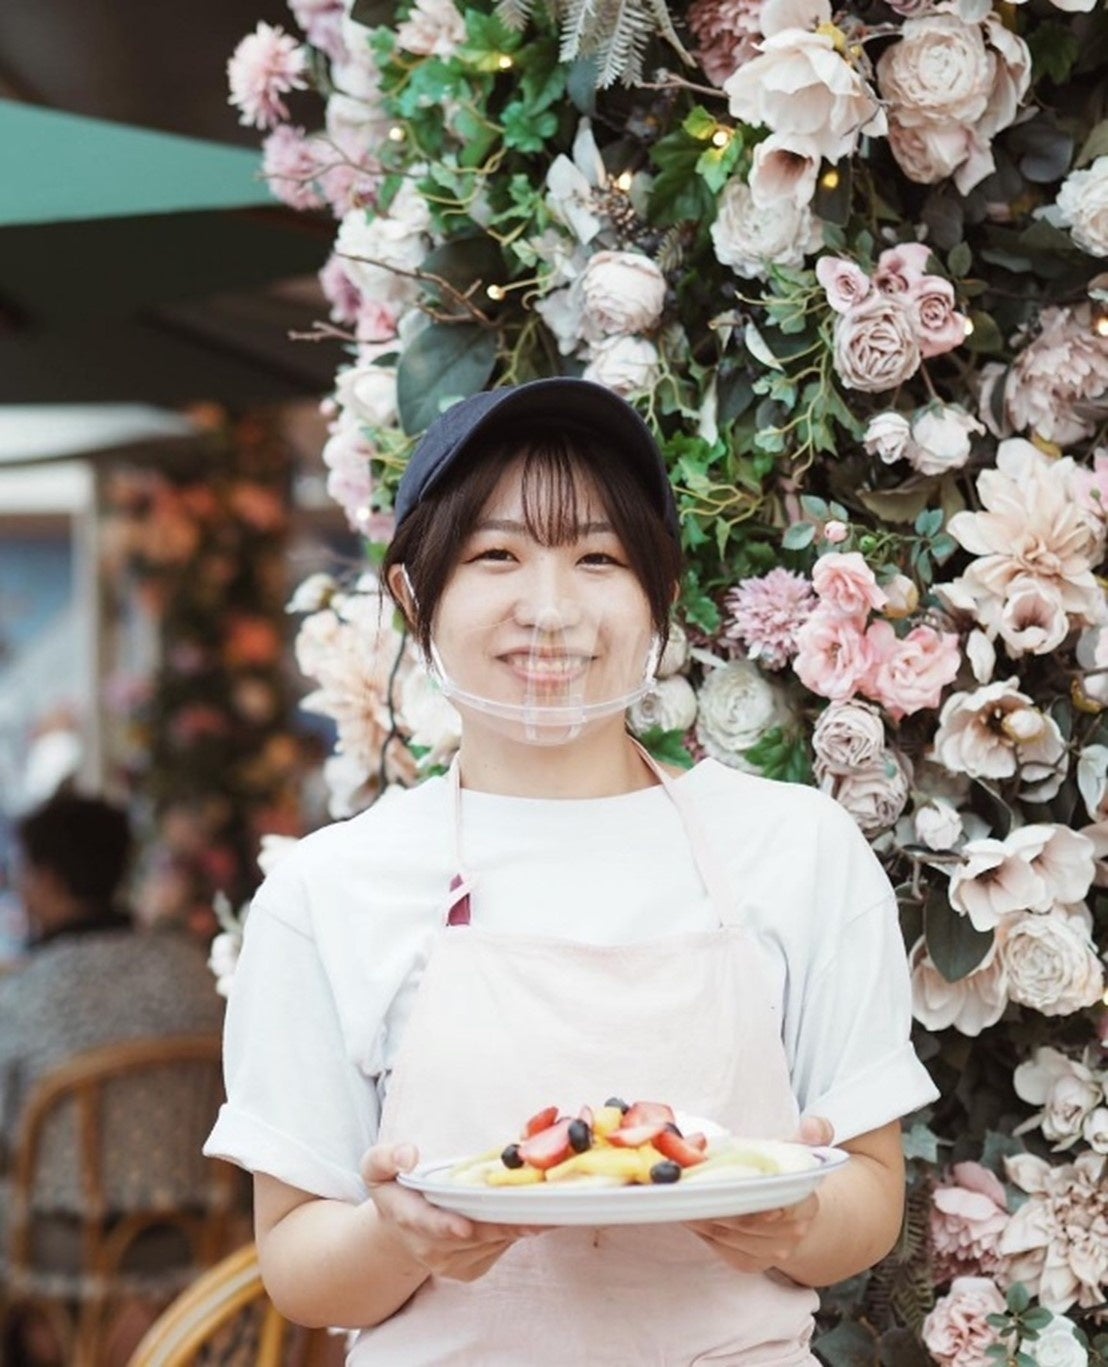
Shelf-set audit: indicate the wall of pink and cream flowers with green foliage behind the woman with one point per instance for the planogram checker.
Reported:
(852, 267)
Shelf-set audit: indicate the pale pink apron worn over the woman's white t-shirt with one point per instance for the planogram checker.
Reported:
(505, 1026)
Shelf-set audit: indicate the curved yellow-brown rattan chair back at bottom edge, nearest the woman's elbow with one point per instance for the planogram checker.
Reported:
(226, 1318)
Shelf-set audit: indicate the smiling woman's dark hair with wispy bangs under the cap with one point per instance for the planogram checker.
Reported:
(431, 539)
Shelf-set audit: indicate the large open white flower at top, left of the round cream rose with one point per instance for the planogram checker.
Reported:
(801, 84)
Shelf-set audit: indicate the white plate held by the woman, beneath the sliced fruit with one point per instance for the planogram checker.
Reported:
(568, 1204)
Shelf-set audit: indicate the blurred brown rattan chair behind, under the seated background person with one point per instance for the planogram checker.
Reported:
(137, 1212)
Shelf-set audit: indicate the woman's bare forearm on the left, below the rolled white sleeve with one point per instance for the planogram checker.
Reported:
(331, 1265)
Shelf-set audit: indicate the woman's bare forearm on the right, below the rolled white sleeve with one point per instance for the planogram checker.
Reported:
(859, 1221)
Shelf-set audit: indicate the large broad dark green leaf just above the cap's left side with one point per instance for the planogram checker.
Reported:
(443, 363)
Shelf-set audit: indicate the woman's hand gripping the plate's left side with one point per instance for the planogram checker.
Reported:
(441, 1242)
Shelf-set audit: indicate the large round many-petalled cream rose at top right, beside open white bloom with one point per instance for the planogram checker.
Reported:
(941, 72)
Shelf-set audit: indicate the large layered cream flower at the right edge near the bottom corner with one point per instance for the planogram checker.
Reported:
(1055, 1243)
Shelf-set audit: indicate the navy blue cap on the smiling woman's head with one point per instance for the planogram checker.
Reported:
(546, 404)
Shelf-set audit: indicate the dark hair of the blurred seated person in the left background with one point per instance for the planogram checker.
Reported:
(85, 841)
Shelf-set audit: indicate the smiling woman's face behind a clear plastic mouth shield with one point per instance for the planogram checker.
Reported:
(540, 627)
